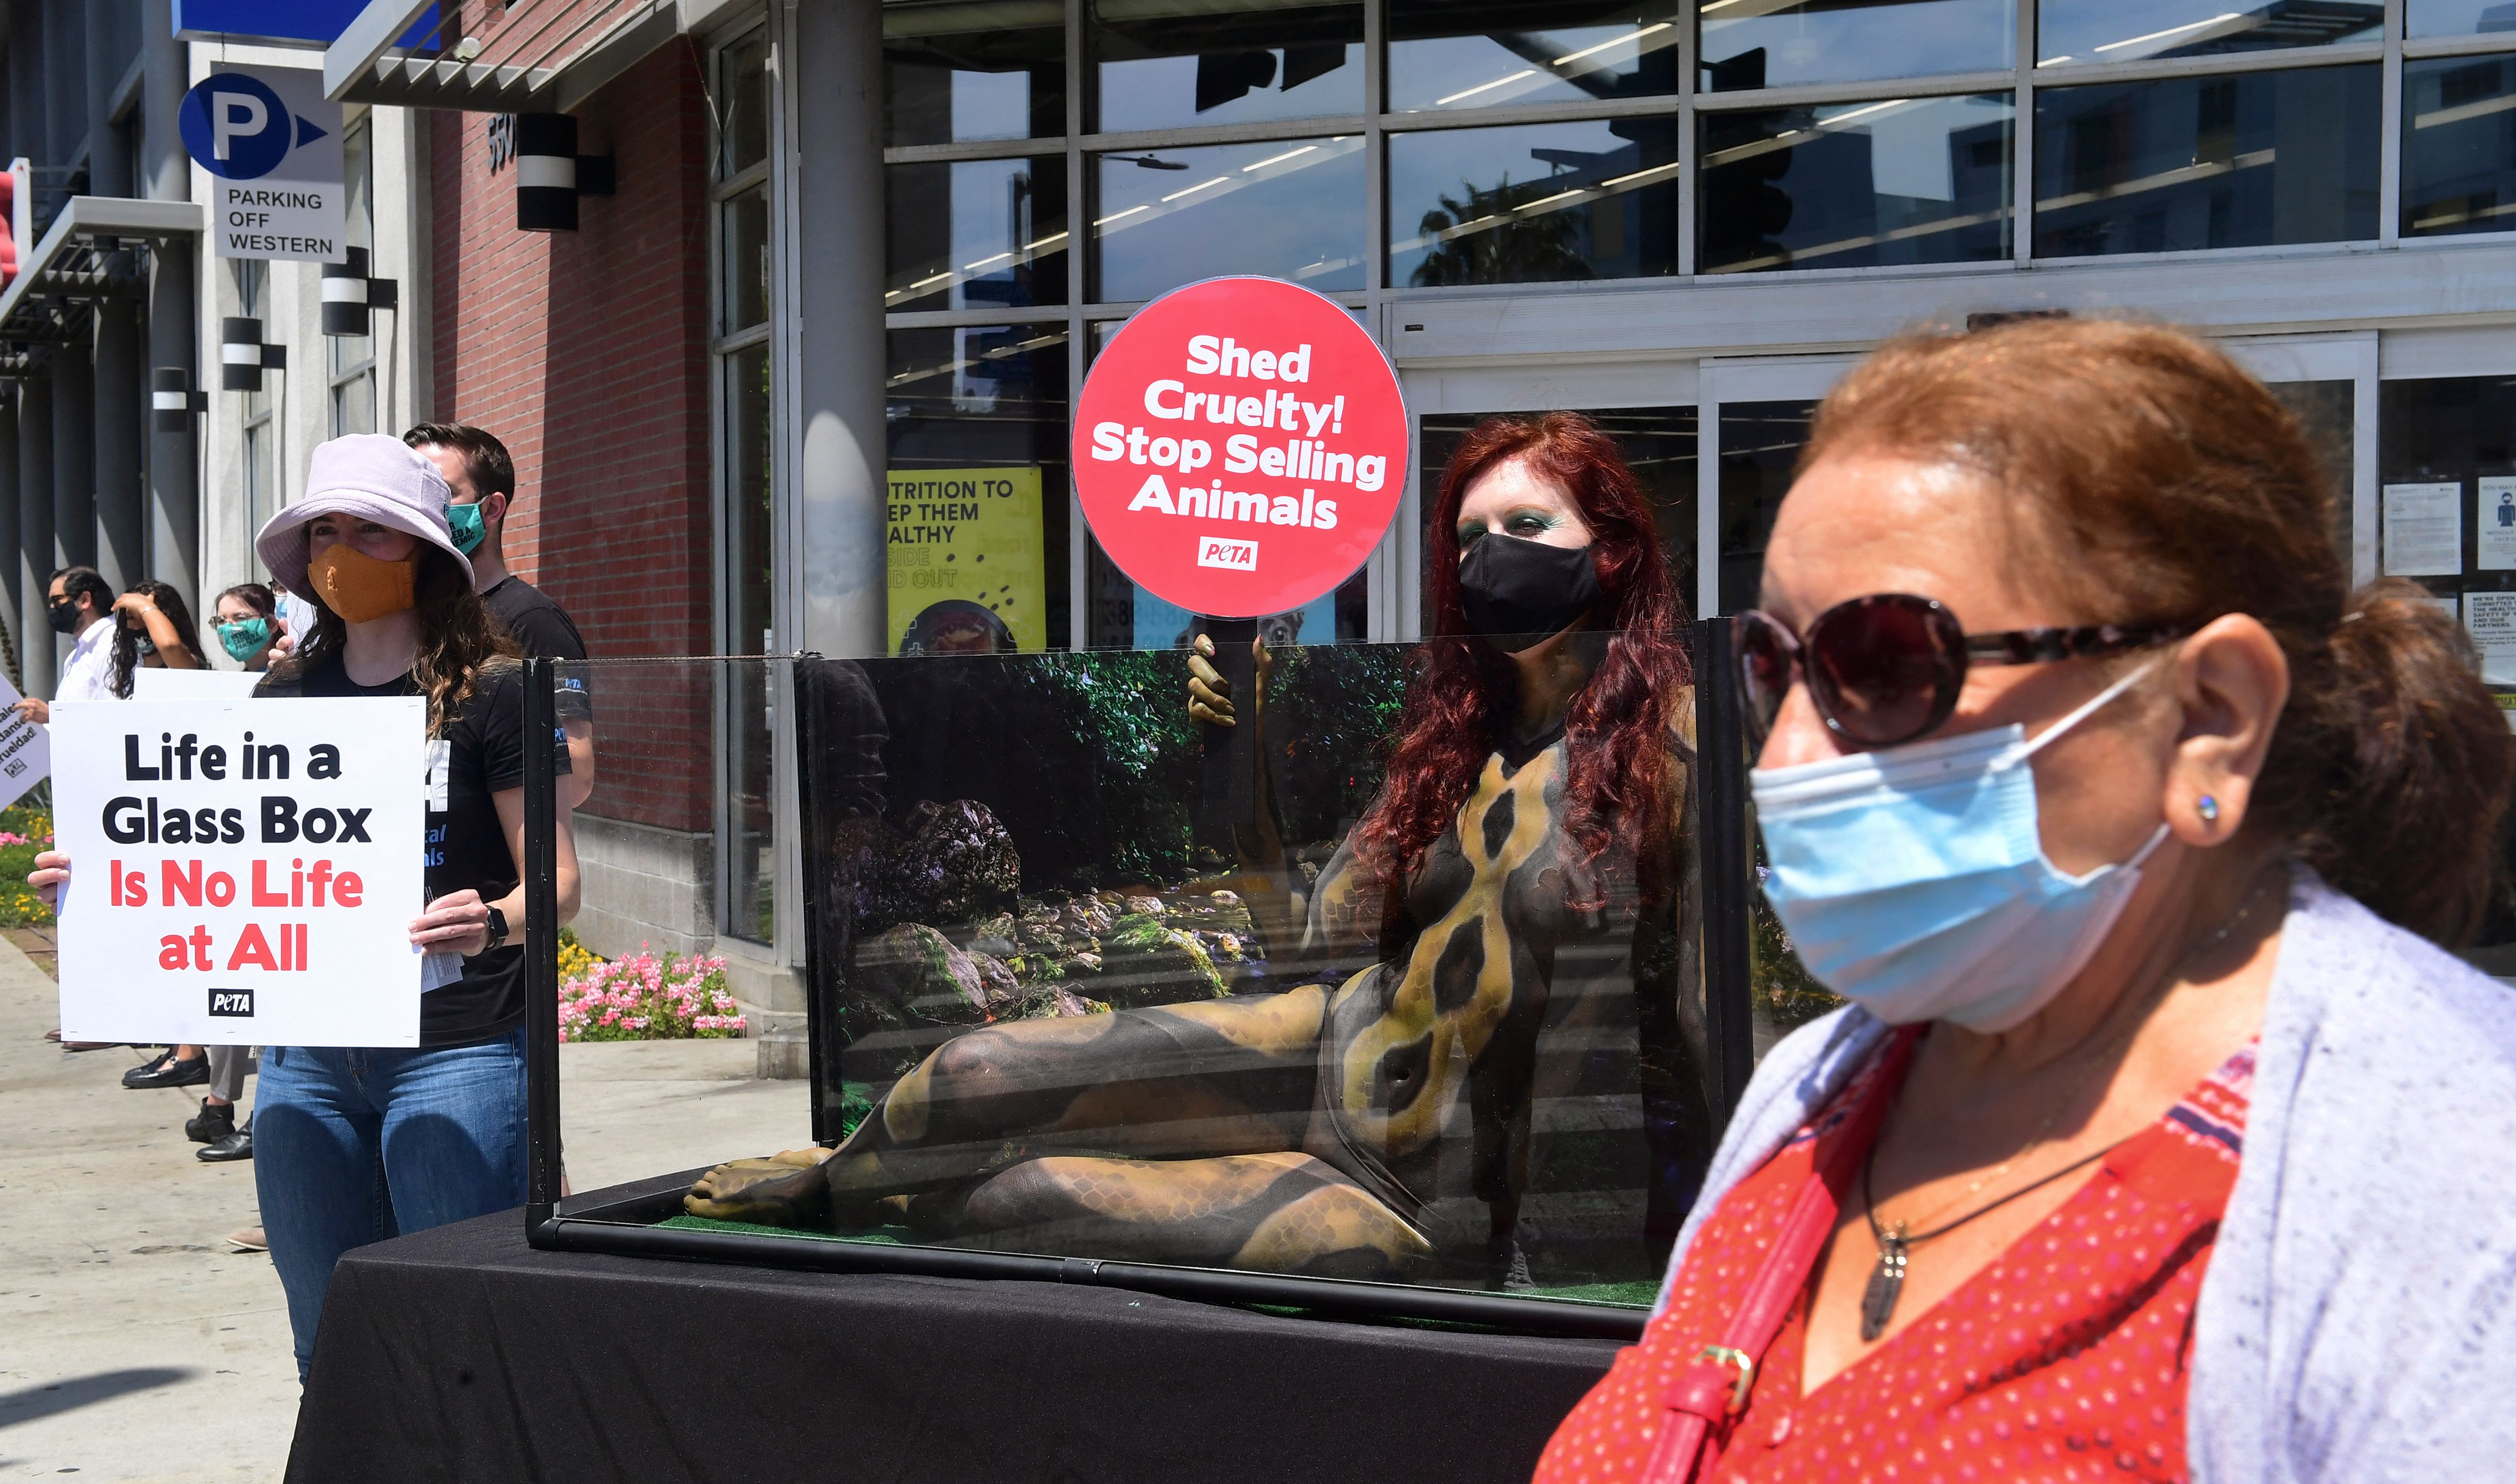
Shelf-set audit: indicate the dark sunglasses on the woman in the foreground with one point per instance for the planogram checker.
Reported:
(1888, 668)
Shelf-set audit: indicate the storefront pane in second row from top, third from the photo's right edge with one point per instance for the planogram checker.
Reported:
(1858, 185)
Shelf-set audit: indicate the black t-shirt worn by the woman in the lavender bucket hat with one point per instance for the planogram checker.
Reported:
(467, 846)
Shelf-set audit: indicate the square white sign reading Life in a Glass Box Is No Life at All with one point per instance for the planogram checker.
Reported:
(243, 872)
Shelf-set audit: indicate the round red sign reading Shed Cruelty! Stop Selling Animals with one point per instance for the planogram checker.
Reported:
(1242, 446)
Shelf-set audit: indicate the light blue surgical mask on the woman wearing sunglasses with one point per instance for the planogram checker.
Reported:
(1913, 879)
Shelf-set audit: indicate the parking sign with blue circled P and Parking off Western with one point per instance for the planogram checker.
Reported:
(273, 147)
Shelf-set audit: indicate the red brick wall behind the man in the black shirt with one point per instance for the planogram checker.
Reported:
(587, 353)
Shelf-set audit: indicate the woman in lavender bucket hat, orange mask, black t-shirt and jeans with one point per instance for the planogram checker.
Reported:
(442, 1123)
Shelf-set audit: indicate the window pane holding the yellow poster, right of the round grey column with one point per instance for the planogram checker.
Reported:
(977, 457)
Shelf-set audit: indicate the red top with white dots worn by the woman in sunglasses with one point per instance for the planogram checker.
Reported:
(2062, 1359)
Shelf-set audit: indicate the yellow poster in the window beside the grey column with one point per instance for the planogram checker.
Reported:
(967, 562)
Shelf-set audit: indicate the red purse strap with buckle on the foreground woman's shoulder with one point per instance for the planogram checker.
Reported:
(1717, 1382)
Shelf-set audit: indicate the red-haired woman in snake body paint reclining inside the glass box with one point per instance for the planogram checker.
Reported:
(1506, 927)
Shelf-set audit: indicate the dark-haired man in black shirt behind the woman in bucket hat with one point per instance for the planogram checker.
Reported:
(482, 477)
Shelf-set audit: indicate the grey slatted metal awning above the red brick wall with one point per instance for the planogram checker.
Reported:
(542, 57)
